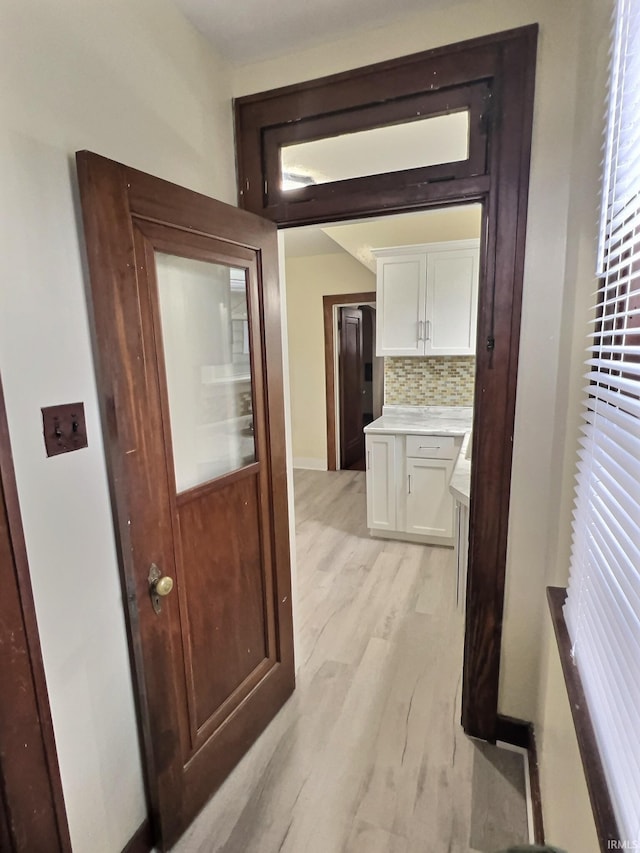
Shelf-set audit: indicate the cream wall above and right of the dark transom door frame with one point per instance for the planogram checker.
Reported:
(546, 407)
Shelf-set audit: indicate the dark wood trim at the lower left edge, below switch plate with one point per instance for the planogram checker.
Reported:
(32, 813)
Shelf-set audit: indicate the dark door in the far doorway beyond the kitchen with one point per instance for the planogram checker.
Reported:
(351, 372)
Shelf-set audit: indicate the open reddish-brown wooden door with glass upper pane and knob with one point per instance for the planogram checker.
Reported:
(186, 315)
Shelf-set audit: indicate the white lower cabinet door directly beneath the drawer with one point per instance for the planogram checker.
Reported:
(429, 504)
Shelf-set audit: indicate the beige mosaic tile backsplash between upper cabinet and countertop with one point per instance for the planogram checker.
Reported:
(441, 381)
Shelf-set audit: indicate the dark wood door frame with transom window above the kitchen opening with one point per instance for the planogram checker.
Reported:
(497, 176)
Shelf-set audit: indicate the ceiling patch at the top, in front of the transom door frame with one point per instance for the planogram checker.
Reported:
(249, 30)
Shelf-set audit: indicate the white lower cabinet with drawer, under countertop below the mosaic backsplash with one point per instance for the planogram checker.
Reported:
(408, 487)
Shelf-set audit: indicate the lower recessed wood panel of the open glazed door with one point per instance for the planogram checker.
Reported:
(229, 623)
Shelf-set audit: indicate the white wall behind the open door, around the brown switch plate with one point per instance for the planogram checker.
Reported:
(131, 80)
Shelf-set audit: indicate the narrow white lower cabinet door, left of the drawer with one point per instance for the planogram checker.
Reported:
(381, 482)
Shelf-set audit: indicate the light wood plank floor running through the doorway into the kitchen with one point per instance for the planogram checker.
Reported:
(368, 755)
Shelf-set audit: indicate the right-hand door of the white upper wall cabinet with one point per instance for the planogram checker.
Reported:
(452, 302)
